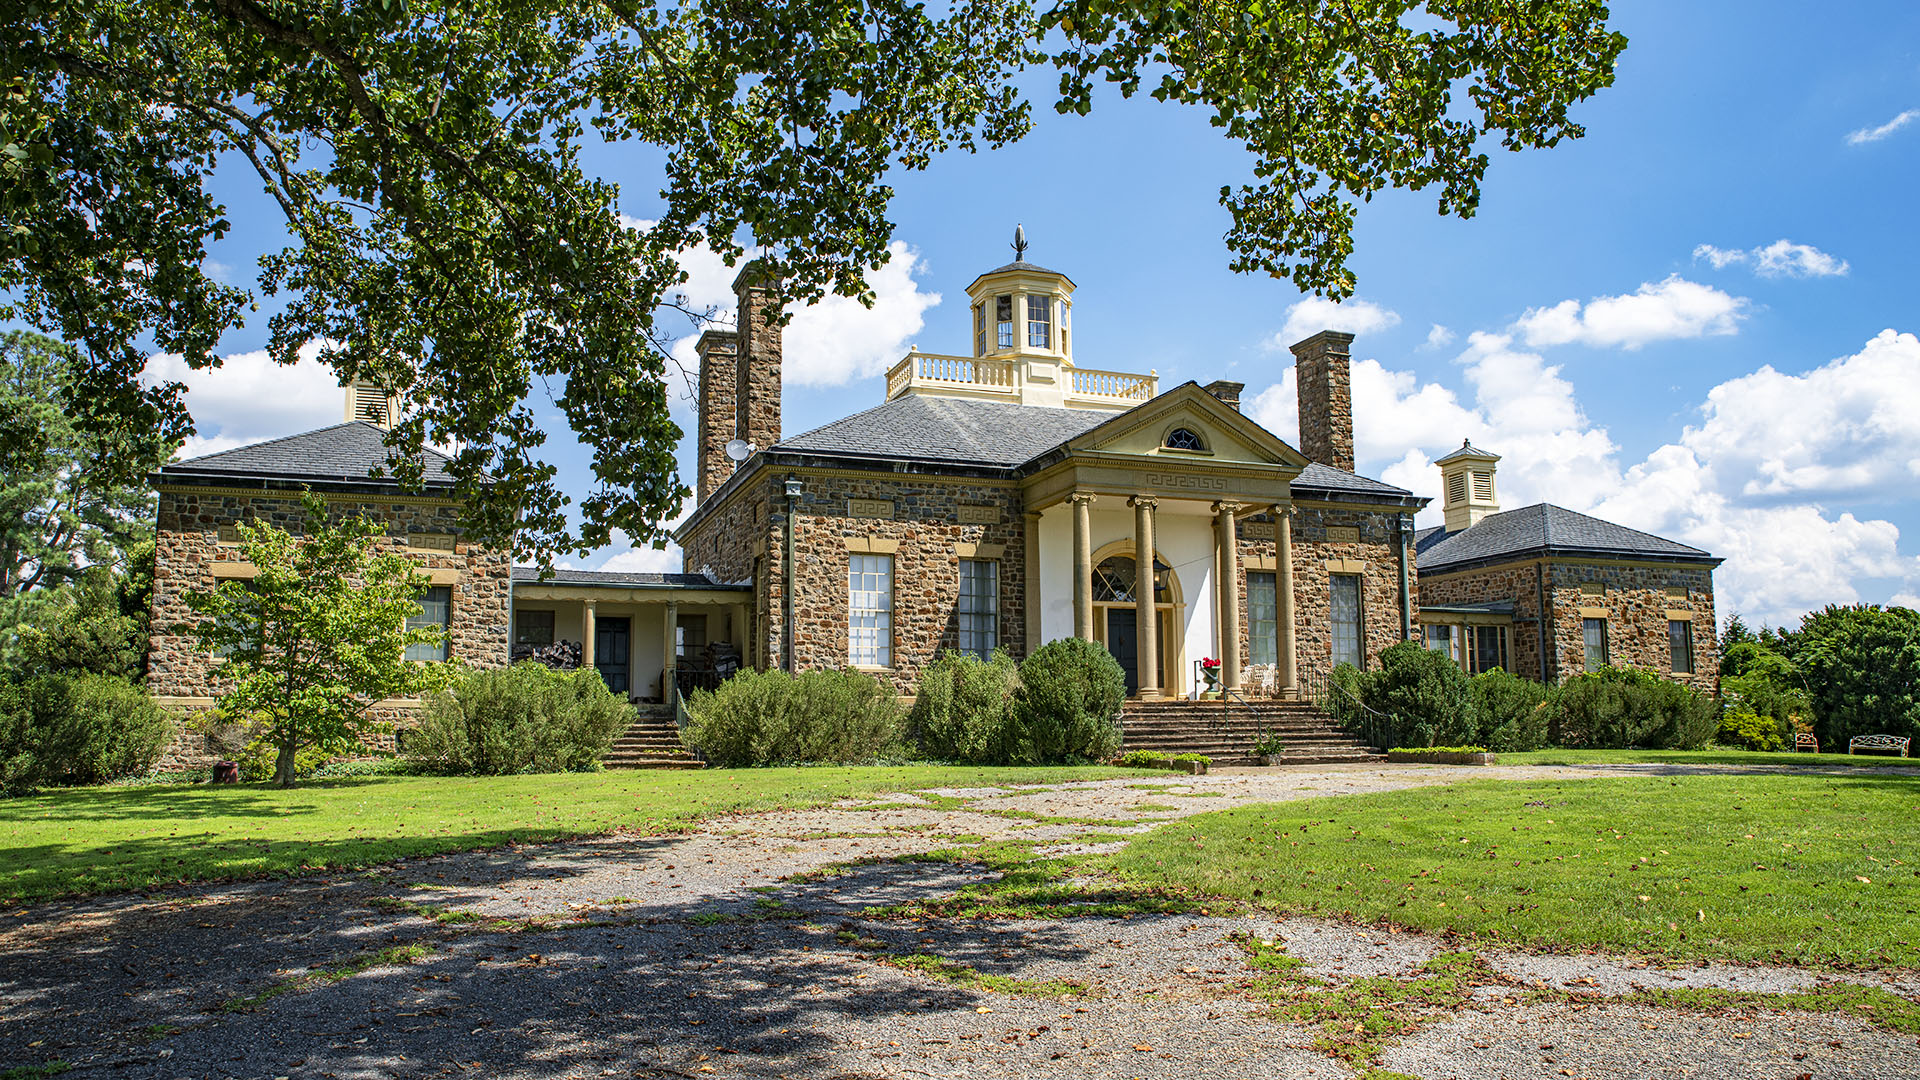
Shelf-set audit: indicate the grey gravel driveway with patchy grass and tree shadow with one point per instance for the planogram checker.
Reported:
(692, 956)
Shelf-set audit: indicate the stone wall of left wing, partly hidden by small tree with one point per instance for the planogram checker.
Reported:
(189, 551)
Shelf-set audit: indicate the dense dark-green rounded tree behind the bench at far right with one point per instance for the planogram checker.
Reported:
(1861, 666)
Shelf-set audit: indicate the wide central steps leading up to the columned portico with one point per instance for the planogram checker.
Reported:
(1226, 733)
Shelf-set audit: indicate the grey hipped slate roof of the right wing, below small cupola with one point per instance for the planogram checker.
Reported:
(1545, 529)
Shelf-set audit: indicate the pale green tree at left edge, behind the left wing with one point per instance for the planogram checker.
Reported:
(70, 499)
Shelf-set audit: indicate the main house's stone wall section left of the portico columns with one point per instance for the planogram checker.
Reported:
(921, 520)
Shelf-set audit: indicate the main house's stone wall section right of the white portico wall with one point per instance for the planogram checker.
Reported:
(1326, 535)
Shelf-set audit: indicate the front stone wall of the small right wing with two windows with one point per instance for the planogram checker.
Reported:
(1637, 602)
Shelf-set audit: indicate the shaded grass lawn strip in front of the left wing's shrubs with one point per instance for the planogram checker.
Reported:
(87, 841)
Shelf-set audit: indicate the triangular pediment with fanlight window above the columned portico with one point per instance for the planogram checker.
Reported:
(1224, 433)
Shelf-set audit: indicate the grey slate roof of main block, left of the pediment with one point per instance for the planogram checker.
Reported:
(948, 430)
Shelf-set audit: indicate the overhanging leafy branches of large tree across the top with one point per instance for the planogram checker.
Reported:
(427, 159)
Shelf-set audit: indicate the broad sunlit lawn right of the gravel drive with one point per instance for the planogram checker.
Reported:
(1781, 868)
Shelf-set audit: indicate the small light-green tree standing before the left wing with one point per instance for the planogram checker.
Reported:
(318, 637)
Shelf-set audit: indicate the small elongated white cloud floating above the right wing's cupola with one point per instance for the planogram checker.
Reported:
(1668, 310)
